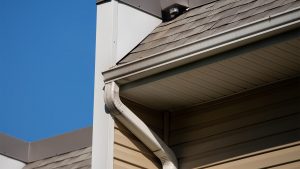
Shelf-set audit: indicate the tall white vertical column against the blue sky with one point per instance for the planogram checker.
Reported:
(103, 124)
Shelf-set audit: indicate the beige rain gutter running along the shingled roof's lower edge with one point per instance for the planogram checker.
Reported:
(203, 48)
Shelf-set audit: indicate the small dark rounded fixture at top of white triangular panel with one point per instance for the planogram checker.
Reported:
(172, 12)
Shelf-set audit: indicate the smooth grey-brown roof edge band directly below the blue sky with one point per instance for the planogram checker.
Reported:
(29, 152)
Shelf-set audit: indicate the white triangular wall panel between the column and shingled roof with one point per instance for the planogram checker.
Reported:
(133, 26)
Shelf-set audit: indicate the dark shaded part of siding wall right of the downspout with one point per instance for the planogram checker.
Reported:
(247, 123)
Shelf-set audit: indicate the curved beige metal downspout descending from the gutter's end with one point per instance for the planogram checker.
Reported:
(121, 112)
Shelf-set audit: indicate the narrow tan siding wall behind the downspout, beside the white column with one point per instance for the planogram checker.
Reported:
(129, 151)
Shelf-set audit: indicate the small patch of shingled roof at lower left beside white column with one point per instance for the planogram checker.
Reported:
(80, 159)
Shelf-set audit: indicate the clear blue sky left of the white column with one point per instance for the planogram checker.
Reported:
(46, 66)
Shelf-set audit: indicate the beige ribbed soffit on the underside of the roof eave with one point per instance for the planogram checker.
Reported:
(219, 76)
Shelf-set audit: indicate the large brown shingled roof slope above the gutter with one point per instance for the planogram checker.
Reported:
(205, 21)
